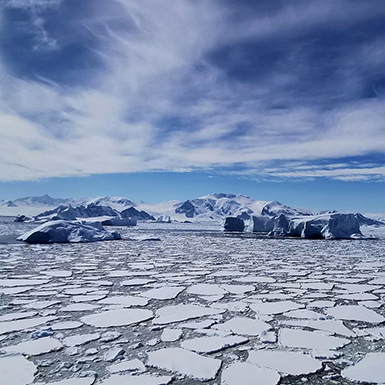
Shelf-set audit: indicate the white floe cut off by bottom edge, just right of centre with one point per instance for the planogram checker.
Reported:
(249, 374)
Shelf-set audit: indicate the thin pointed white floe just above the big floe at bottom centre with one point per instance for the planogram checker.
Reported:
(212, 344)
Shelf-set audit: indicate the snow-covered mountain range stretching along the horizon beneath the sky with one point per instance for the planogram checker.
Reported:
(214, 206)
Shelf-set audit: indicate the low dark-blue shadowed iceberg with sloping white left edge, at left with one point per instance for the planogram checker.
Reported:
(68, 231)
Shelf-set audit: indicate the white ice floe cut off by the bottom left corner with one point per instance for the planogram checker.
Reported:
(16, 370)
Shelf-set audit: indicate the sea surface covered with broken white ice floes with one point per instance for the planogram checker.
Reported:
(198, 306)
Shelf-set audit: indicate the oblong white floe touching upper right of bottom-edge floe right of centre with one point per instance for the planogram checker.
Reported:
(288, 363)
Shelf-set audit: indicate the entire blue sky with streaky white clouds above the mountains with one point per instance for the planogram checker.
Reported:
(172, 99)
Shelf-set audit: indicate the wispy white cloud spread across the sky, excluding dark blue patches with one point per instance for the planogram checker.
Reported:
(156, 68)
